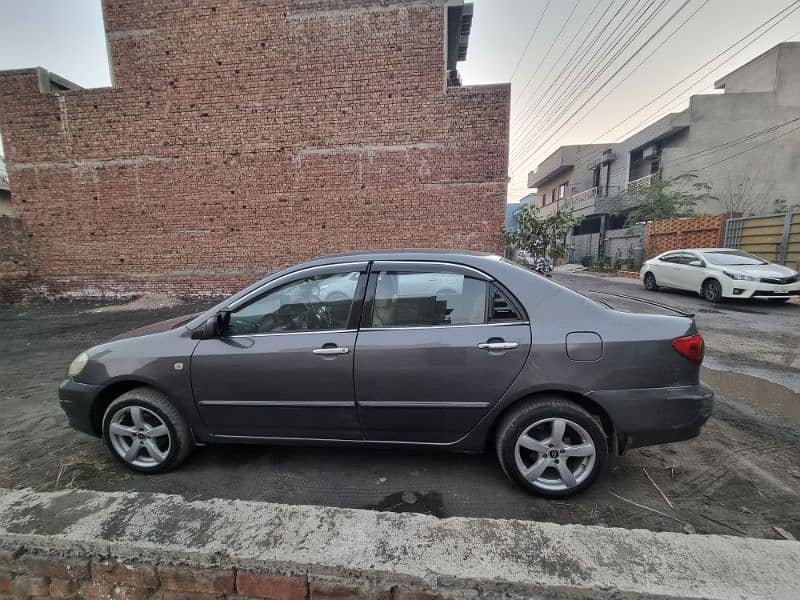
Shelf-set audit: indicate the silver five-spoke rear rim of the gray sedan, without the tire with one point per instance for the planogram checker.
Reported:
(555, 454)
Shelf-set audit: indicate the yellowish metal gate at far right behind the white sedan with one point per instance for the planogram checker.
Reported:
(775, 238)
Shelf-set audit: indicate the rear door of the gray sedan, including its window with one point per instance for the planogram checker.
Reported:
(432, 358)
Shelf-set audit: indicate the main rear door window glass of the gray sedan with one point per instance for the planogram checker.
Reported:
(408, 299)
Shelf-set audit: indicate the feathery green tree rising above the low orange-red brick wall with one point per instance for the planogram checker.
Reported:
(662, 199)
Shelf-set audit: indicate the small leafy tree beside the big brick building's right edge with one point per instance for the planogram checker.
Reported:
(541, 236)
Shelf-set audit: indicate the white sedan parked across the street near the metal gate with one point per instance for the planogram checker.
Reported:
(717, 273)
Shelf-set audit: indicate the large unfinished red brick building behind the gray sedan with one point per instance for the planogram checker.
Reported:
(239, 137)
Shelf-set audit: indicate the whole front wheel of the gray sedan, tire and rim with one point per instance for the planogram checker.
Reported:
(145, 432)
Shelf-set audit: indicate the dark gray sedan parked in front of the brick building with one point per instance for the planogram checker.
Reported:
(455, 350)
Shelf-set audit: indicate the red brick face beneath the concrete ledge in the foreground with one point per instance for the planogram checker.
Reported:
(29, 576)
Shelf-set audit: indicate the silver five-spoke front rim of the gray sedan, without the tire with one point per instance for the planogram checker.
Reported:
(139, 436)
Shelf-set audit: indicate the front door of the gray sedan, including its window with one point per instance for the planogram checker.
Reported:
(283, 366)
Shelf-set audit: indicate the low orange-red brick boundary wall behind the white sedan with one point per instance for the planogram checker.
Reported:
(698, 232)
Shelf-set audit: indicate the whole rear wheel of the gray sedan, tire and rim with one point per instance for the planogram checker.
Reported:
(533, 455)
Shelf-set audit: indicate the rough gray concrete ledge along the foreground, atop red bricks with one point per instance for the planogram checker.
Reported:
(374, 552)
